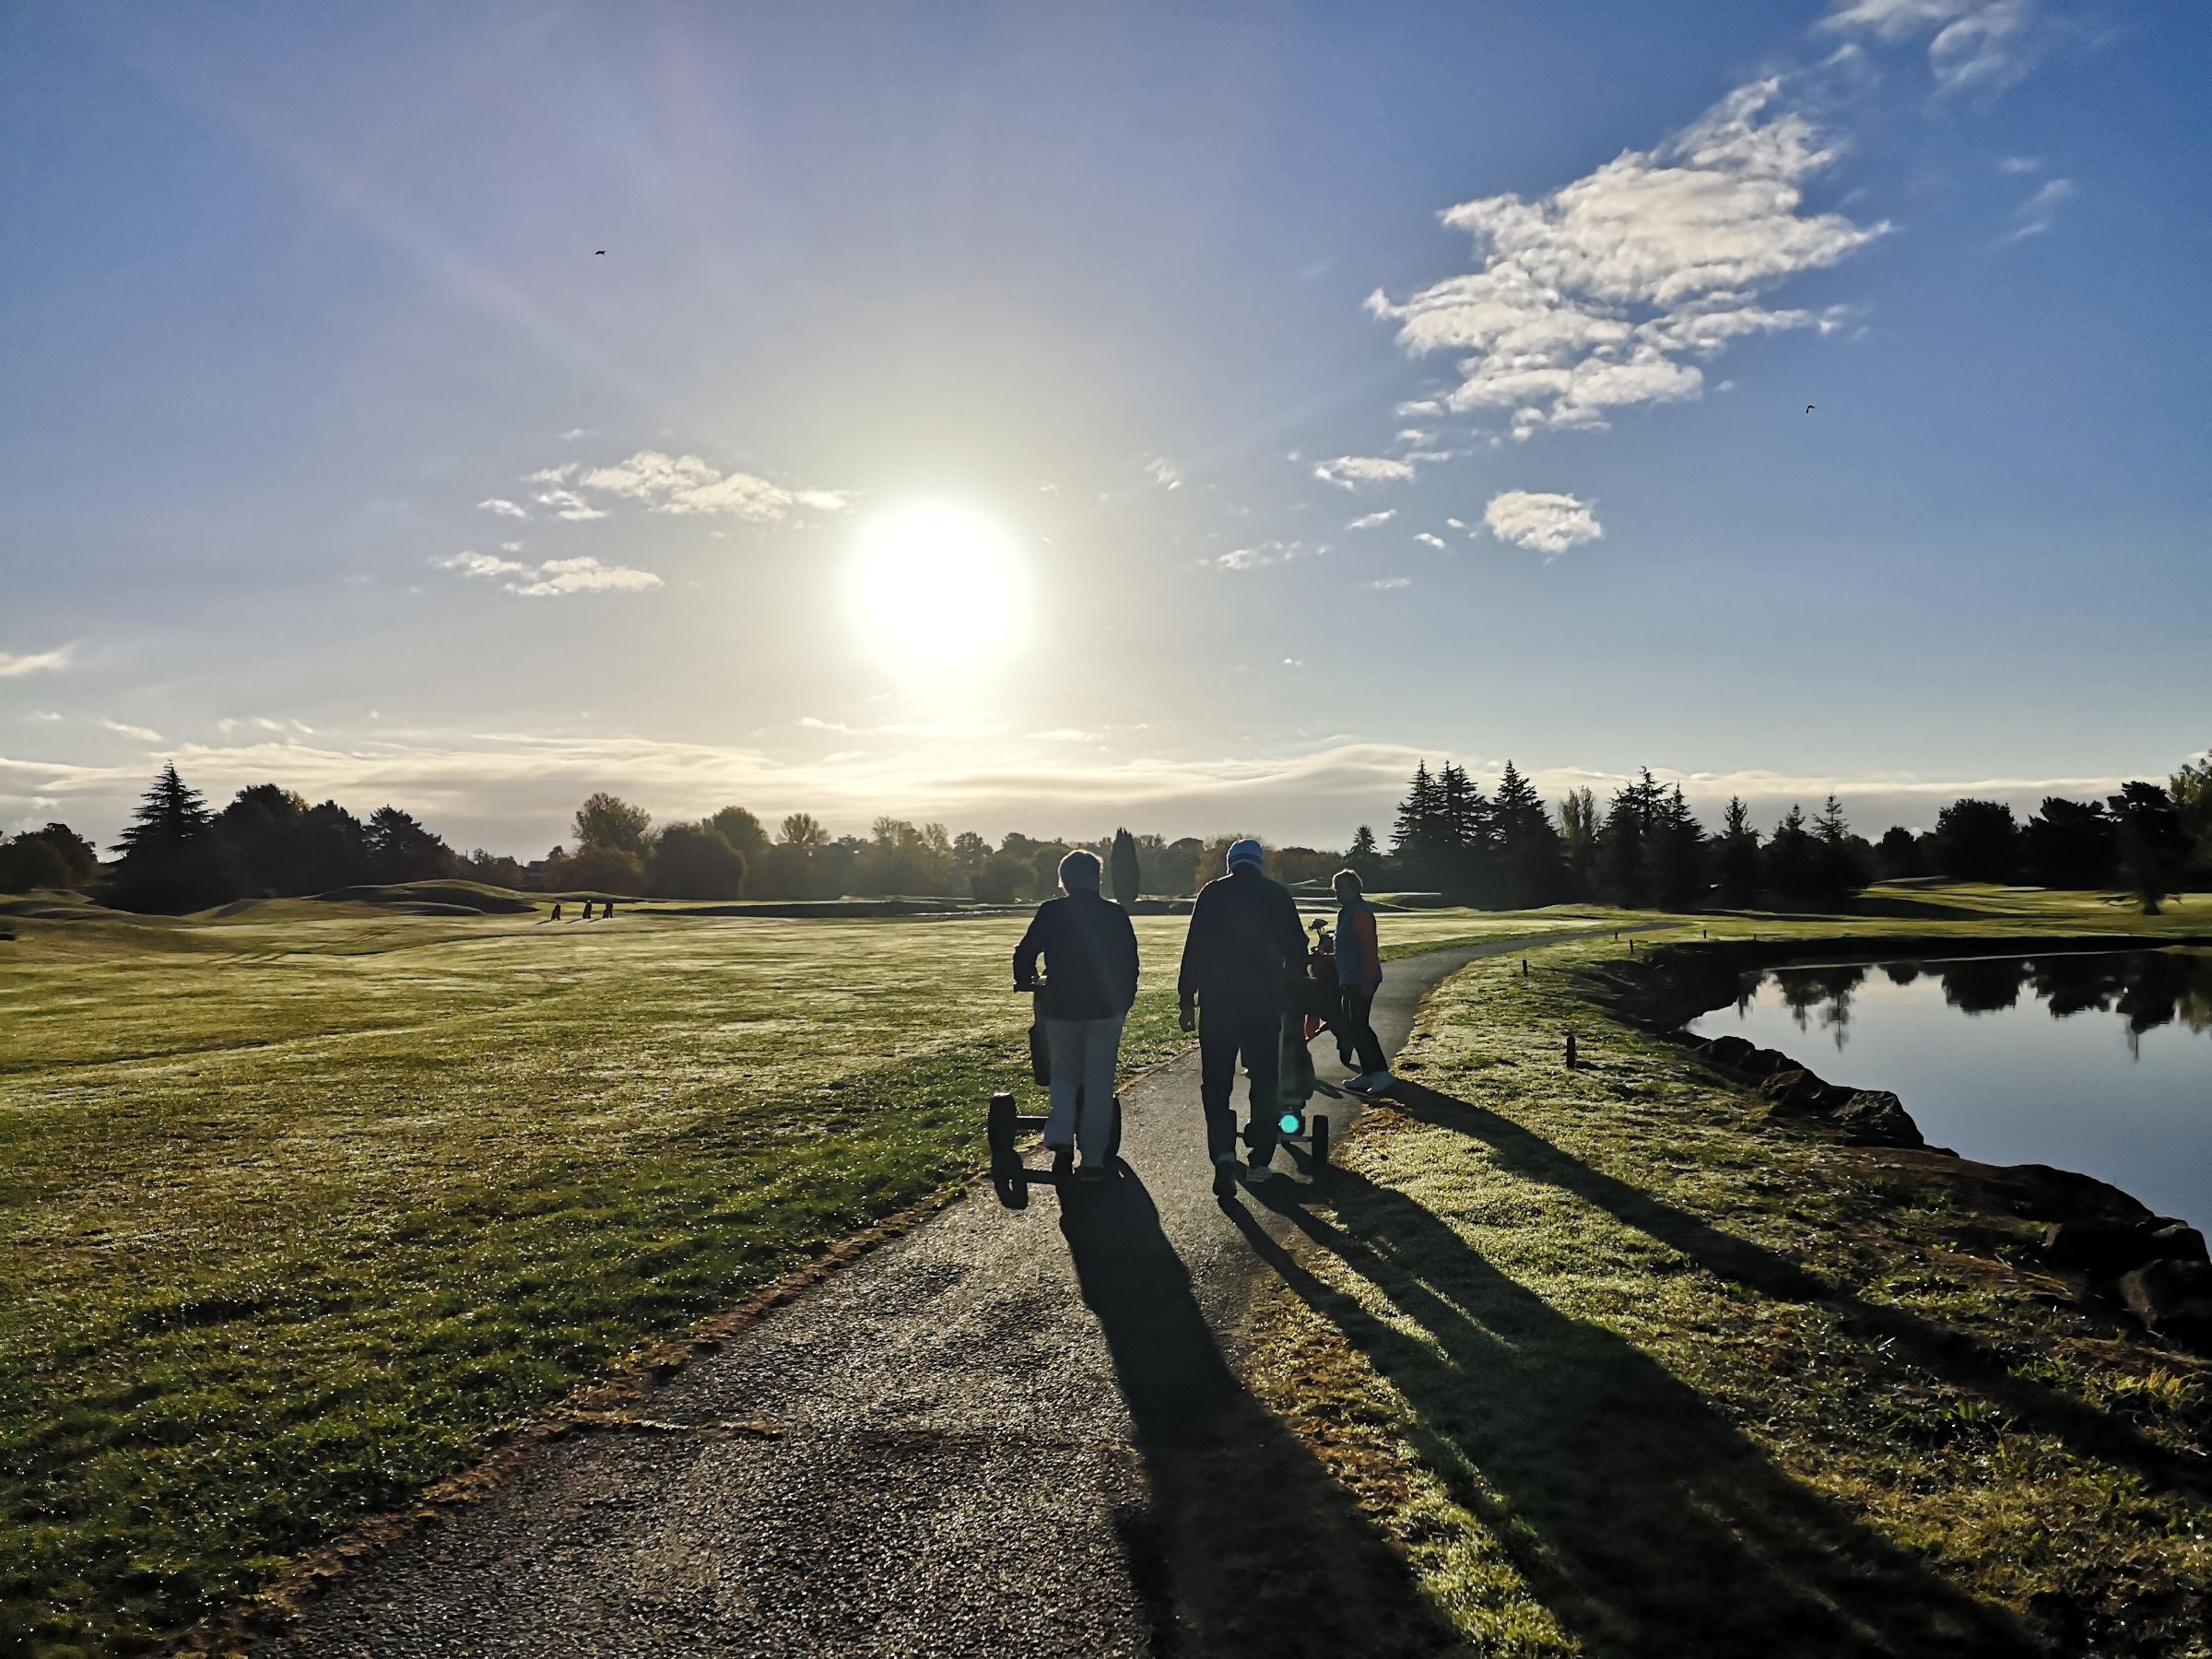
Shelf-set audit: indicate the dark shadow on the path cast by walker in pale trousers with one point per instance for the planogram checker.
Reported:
(1246, 1547)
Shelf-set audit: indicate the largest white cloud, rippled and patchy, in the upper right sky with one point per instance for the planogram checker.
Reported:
(1598, 295)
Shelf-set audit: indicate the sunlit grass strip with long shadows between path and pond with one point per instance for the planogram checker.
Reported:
(1629, 1379)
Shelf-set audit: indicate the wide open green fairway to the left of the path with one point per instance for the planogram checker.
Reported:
(302, 1204)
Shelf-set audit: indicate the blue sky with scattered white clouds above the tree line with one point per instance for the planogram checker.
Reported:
(1167, 304)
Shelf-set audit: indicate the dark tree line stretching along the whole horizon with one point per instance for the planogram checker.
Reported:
(1501, 848)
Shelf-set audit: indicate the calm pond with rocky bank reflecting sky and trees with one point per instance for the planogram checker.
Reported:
(2098, 1063)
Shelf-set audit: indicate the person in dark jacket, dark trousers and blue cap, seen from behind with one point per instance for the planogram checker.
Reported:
(1240, 966)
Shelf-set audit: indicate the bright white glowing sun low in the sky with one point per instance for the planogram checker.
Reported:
(939, 585)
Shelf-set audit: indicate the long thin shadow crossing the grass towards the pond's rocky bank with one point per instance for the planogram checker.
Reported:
(1945, 1353)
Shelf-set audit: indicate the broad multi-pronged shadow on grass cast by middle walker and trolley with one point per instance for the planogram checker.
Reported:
(1636, 1514)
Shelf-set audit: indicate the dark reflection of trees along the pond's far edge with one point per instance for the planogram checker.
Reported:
(2147, 990)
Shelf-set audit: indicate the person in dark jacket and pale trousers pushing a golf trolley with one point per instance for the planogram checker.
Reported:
(1092, 979)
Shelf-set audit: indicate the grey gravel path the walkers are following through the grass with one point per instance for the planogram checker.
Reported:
(1003, 1434)
